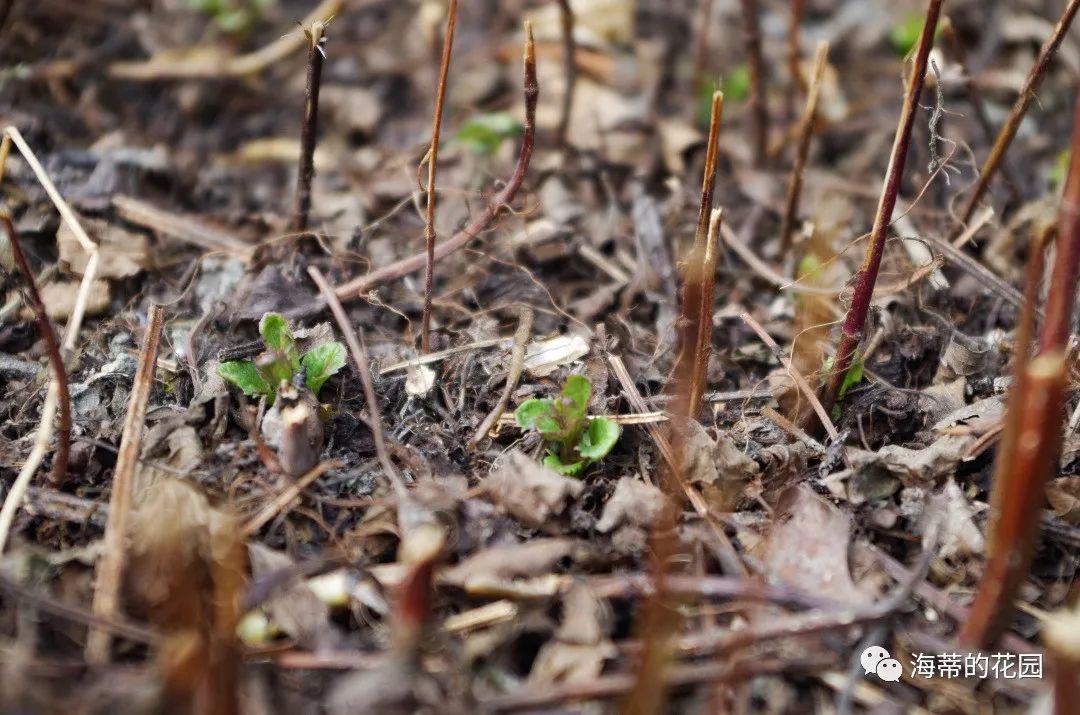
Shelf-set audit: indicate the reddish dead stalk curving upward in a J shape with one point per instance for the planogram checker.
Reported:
(502, 200)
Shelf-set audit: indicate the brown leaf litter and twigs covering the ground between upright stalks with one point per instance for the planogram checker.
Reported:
(299, 544)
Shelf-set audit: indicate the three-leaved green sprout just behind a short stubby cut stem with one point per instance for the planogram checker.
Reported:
(282, 360)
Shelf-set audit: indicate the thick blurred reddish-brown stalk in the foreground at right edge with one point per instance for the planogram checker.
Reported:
(1031, 448)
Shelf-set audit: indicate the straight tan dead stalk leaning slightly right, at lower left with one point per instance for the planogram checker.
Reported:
(112, 562)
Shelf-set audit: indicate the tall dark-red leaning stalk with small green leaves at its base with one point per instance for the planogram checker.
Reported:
(872, 264)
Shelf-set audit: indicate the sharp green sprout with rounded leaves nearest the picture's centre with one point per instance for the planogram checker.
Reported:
(575, 441)
